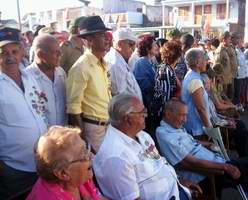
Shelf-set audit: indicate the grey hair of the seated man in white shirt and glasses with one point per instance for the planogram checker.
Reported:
(119, 106)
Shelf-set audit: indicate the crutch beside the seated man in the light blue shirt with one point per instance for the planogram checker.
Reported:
(215, 135)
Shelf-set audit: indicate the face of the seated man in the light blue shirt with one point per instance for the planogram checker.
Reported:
(177, 118)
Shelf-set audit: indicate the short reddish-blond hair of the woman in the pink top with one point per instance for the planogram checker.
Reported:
(53, 150)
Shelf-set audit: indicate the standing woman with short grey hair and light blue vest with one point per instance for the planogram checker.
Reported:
(194, 93)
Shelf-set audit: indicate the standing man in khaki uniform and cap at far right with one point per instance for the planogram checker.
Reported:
(224, 56)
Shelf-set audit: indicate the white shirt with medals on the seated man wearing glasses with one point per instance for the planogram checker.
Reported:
(127, 169)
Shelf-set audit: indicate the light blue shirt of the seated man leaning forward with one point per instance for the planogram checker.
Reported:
(176, 144)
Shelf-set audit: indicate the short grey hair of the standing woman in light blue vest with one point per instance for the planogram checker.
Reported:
(192, 57)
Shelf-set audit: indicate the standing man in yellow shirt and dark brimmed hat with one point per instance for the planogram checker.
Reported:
(87, 85)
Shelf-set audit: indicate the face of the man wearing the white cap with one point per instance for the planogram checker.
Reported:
(126, 48)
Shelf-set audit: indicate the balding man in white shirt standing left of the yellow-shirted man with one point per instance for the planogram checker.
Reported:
(50, 77)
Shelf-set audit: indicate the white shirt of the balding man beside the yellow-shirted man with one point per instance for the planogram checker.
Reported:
(55, 91)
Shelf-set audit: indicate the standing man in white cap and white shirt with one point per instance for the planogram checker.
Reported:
(122, 79)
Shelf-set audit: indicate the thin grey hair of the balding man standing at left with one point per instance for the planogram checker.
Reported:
(41, 42)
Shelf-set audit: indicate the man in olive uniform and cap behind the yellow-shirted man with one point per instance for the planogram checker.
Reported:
(73, 48)
